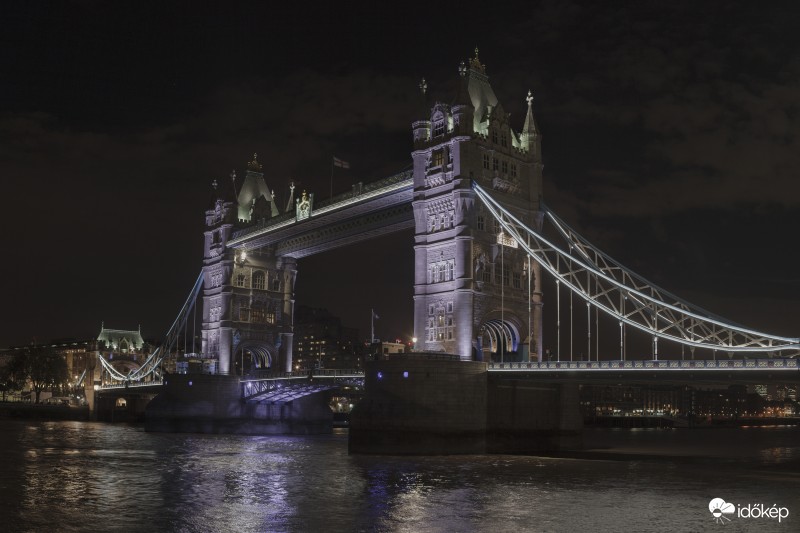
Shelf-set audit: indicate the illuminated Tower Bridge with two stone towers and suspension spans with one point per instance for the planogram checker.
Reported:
(482, 239)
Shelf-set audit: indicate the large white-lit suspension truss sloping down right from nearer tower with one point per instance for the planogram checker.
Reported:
(626, 296)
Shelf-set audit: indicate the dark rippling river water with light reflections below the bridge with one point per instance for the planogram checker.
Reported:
(83, 476)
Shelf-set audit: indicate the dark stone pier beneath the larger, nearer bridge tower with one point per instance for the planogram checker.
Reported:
(429, 404)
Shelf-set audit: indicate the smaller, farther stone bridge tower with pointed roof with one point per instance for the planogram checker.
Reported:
(248, 295)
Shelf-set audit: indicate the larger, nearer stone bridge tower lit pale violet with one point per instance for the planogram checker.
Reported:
(475, 293)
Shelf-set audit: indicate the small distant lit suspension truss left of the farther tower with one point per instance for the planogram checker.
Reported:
(150, 370)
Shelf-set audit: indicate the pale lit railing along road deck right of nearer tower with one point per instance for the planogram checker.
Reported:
(731, 364)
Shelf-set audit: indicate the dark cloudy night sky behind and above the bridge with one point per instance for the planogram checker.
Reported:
(671, 139)
